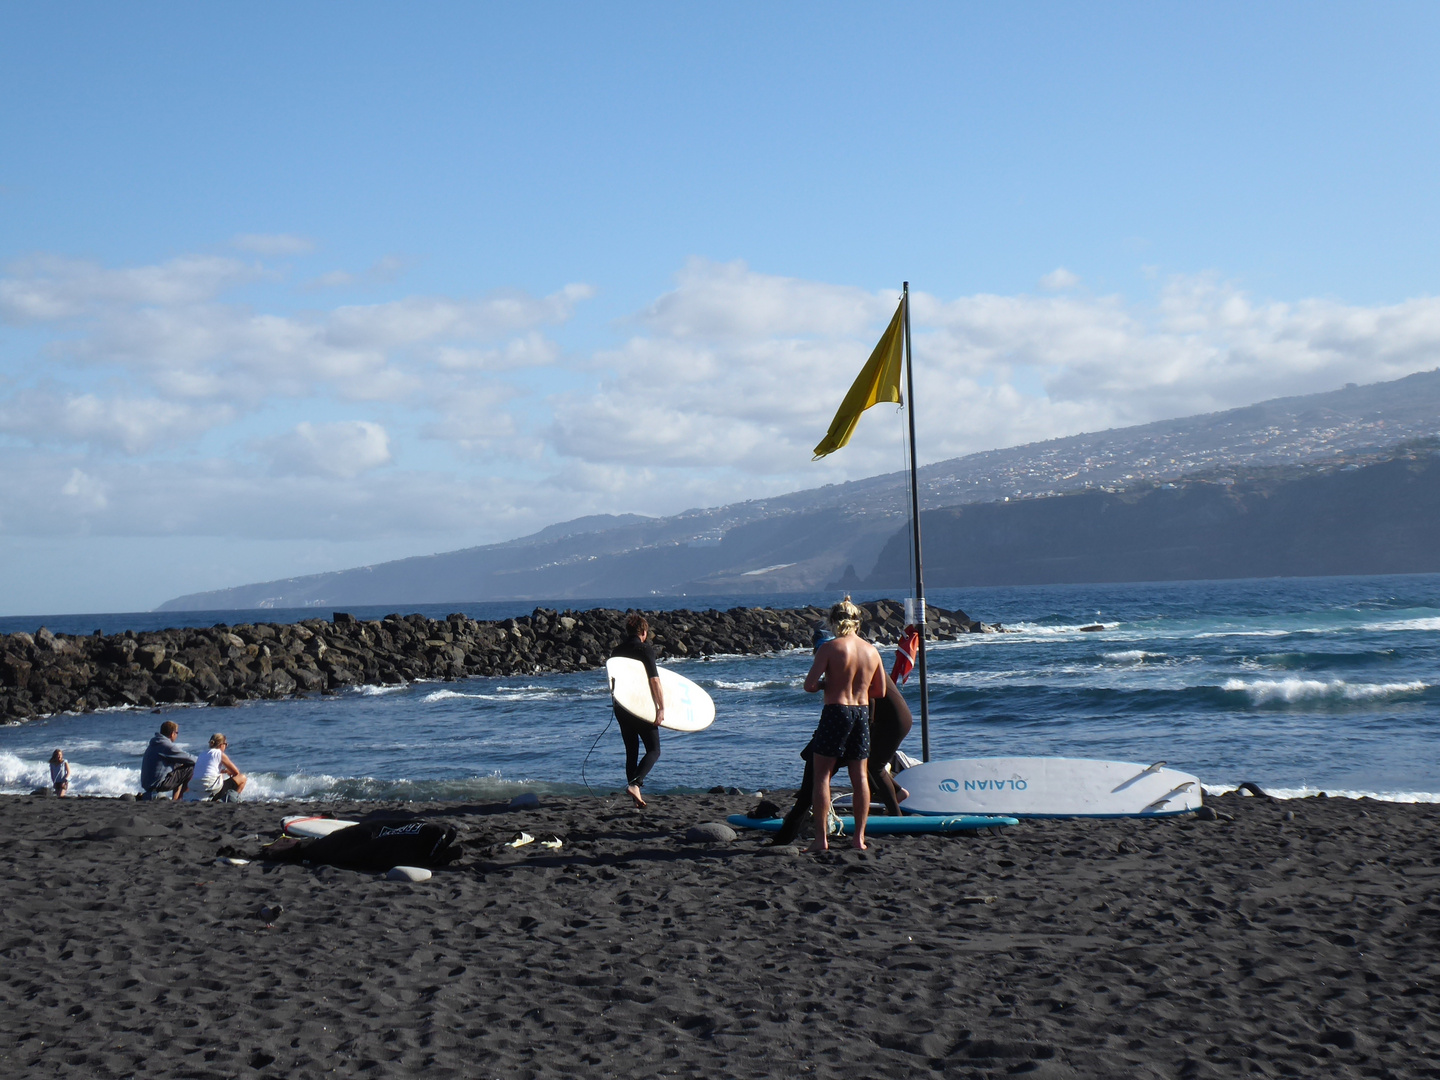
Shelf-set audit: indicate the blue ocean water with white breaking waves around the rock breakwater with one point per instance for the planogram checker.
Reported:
(1297, 685)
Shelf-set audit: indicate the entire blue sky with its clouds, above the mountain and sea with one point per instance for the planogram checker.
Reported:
(287, 290)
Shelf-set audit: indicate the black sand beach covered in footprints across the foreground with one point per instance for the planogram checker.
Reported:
(1179, 948)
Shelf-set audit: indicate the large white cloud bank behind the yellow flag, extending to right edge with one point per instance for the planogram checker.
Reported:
(726, 379)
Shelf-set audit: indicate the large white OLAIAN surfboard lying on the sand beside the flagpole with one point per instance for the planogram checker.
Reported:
(1049, 788)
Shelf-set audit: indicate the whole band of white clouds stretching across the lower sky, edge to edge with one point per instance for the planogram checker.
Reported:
(724, 388)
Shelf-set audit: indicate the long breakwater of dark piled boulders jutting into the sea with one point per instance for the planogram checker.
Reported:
(57, 673)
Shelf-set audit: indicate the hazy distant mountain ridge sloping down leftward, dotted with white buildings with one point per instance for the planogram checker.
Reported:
(807, 539)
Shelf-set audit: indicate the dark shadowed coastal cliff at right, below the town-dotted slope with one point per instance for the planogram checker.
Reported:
(1341, 521)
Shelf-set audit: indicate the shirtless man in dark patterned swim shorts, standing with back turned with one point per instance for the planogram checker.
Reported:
(850, 673)
